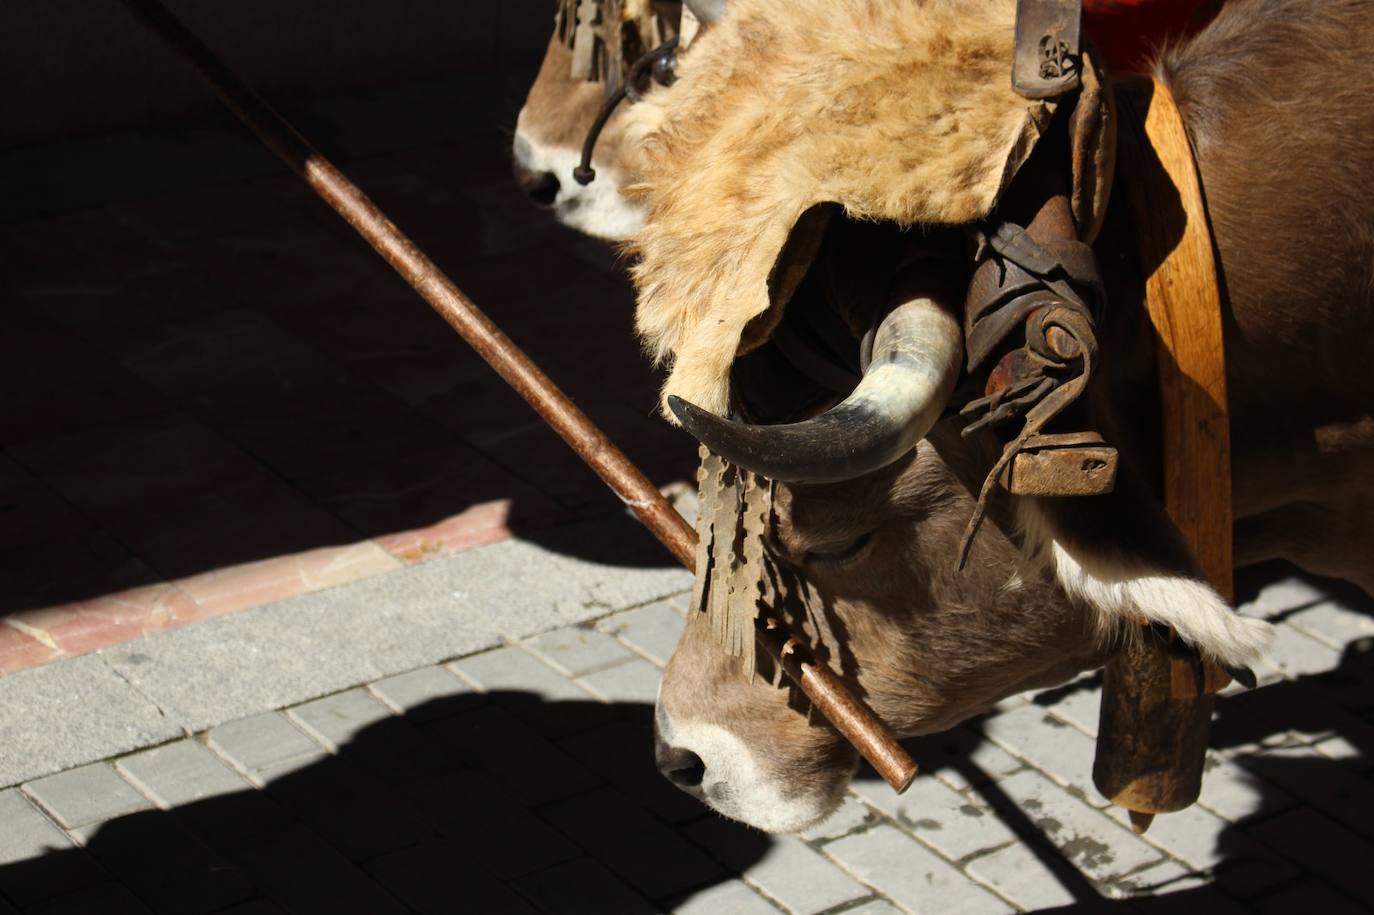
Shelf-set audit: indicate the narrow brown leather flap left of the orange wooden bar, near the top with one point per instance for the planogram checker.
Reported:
(1093, 138)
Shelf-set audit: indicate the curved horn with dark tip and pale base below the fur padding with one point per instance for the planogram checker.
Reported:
(916, 365)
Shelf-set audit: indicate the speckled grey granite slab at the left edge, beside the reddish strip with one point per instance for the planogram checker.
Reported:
(87, 714)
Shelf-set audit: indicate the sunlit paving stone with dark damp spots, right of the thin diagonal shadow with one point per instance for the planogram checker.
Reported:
(1096, 844)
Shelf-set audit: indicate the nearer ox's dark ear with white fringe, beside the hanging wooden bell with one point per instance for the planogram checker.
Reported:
(1123, 556)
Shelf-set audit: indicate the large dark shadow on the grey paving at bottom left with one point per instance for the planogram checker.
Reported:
(497, 804)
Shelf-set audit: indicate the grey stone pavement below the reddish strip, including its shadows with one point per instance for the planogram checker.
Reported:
(516, 776)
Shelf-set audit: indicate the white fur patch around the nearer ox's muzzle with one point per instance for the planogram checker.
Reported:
(734, 784)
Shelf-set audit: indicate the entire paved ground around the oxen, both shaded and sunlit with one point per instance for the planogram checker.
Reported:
(471, 732)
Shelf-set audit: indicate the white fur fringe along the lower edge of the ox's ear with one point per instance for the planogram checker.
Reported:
(1197, 613)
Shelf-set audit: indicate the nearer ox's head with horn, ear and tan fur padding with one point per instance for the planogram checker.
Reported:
(818, 190)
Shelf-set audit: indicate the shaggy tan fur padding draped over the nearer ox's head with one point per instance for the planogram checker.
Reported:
(895, 109)
